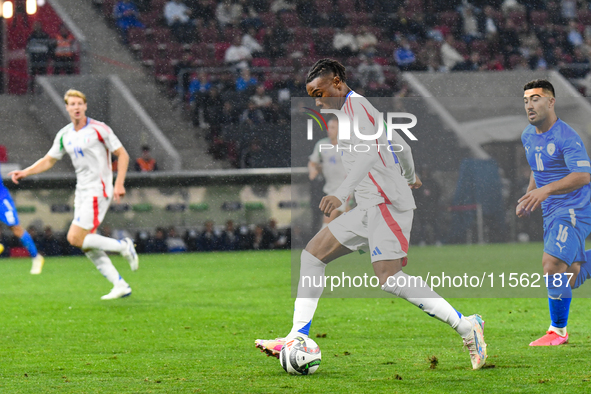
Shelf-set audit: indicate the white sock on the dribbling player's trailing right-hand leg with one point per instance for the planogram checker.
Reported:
(417, 292)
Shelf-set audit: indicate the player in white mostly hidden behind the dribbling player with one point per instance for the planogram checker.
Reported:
(328, 160)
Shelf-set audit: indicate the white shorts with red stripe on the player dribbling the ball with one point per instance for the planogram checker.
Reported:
(382, 228)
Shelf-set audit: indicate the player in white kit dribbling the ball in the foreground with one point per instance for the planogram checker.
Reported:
(382, 219)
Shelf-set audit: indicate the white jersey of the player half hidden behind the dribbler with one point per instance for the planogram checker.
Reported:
(332, 167)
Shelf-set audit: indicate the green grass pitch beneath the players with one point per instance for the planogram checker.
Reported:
(190, 326)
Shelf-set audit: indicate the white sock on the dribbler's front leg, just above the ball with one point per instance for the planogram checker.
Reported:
(310, 289)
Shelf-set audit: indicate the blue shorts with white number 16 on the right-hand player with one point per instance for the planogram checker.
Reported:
(565, 233)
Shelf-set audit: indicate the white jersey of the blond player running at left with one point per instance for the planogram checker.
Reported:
(90, 150)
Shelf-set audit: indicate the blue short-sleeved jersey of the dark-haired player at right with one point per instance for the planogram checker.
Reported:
(552, 156)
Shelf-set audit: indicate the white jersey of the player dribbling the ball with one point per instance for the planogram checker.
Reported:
(376, 175)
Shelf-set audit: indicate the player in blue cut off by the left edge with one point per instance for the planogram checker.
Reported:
(9, 217)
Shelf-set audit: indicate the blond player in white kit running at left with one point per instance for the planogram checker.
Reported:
(90, 143)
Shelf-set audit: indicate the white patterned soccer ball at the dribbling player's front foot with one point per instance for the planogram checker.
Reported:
(300, 356)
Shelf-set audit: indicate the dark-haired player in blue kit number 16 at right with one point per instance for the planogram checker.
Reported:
(559, 183)
